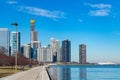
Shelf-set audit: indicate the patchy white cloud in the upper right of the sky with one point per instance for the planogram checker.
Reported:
(99, 9)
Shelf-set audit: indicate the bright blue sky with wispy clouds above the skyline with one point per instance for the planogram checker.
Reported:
(92, 22)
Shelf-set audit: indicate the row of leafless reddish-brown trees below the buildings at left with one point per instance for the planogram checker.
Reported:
(10, 60)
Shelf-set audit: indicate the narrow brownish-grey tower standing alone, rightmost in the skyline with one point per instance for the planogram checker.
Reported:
(82, 54)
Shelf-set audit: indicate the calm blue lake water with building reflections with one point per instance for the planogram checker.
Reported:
(107, 72)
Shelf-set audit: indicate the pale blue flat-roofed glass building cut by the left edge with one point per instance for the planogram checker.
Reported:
(5, 39)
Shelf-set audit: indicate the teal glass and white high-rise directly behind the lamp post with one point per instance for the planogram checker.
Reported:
(15, 42)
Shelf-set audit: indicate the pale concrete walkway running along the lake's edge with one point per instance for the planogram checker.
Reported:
(38, 73)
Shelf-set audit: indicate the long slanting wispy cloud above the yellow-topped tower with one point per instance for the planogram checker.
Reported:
(42, 12)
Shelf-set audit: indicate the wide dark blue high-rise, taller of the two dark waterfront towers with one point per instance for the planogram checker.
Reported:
(66, 51)
